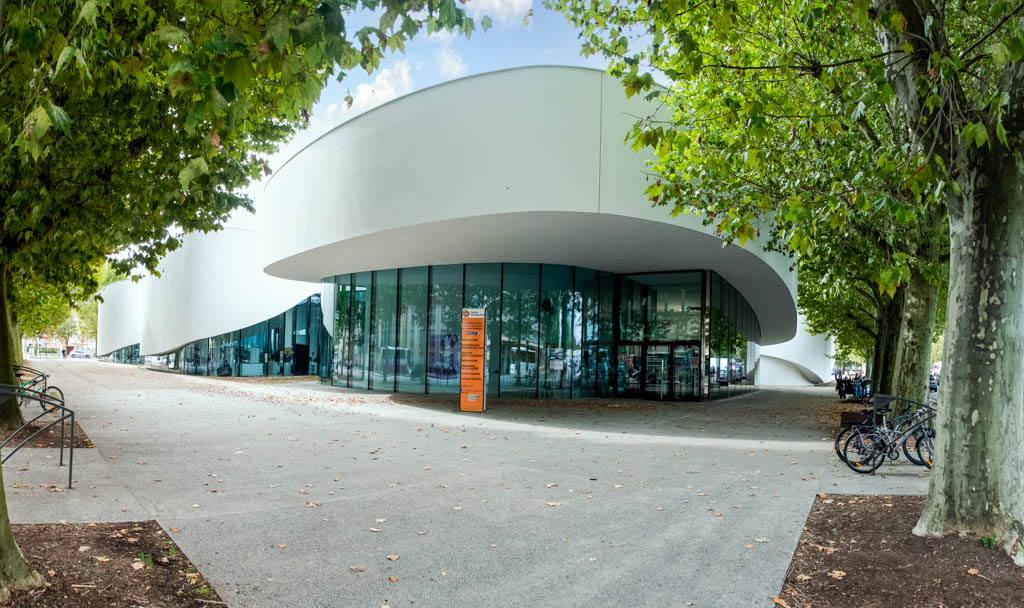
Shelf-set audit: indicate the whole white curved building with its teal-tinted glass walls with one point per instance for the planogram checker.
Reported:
(511, 191)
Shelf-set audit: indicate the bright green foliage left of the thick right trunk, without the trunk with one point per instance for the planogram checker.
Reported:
(779, 117)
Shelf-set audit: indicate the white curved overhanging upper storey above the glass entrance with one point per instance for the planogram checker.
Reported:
(524, 165)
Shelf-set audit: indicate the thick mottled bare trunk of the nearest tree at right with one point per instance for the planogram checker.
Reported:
(976, 488)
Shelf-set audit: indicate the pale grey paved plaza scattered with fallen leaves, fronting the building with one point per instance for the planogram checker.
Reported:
(278, 491)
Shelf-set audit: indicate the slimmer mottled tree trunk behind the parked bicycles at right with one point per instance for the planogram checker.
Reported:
(914, 350)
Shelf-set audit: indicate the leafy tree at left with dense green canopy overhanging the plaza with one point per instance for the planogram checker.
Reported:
(124, 125)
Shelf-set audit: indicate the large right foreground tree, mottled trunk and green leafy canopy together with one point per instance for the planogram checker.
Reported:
(912, 108)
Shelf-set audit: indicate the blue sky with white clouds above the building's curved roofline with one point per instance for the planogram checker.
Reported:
(548, 39)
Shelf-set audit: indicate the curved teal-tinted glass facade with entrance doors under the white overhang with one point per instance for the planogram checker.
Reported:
(552, 332)
